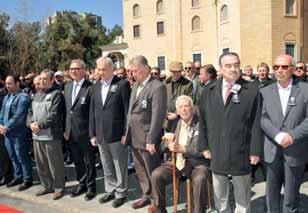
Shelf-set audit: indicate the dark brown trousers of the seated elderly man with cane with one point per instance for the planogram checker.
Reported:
(162, 176)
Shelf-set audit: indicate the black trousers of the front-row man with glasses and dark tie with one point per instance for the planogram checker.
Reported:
(84, 160)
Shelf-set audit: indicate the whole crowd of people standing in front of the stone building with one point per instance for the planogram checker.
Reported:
(220, 125)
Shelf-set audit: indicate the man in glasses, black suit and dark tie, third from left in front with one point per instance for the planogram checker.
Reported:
(77, 96)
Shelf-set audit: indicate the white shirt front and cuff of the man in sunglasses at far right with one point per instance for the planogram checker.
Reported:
(284, 95)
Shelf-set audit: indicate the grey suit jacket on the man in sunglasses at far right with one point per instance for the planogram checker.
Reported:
(295, 122)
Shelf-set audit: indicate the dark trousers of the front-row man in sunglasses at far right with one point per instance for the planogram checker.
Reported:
(280, 173)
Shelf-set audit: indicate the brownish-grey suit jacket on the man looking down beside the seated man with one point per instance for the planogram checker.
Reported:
(146, 114)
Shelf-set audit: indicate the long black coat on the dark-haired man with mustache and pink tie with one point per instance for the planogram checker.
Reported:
(231, 132)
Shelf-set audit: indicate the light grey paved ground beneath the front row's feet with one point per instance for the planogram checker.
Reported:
(27, 202)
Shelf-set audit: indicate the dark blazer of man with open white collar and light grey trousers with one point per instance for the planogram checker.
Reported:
(108, 121)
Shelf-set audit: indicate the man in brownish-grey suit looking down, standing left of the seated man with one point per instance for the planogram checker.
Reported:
(147, 110)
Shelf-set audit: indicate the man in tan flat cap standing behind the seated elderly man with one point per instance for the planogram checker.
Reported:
(176, 85)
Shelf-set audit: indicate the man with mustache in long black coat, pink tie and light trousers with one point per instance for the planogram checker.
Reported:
(230, 111)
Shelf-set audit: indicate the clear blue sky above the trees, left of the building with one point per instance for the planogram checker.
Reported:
(39, 10)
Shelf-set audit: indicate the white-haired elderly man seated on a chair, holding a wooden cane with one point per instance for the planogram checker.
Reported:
(190, 161)
